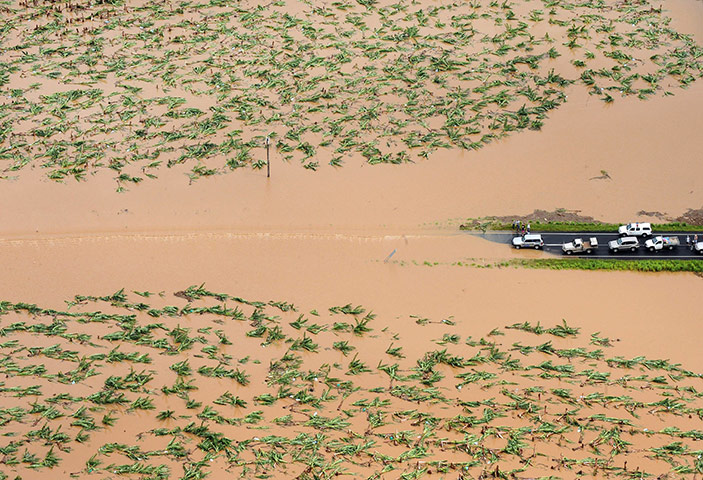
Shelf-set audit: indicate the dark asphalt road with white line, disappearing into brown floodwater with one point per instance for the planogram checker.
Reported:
(554, 241)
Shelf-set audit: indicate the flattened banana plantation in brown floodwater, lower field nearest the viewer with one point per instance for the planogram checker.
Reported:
(197, 383)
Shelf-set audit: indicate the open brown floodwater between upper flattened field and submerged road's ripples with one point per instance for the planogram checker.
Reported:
(649, 148)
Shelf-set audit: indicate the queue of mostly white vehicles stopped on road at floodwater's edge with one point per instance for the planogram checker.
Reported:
(629, 240)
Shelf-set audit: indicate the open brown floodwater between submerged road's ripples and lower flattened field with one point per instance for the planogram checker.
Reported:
(315, 270)
